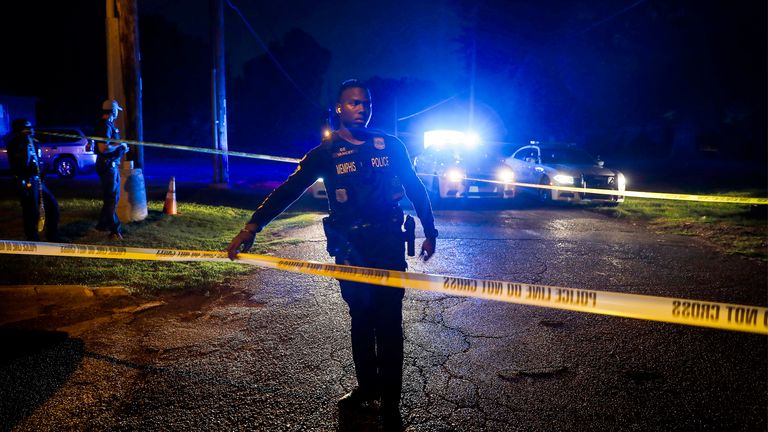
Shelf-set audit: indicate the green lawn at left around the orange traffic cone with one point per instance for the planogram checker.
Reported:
(196, 227)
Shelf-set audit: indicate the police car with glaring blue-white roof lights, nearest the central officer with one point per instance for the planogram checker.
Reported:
(456, 165)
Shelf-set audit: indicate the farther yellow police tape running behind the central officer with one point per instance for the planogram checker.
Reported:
(636, 194)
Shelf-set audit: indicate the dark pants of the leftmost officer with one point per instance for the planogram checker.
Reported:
(29, 197)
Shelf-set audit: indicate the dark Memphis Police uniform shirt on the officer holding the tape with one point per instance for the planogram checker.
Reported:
(364, 182)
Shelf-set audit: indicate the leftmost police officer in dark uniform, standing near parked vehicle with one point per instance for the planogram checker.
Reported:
(24, 159)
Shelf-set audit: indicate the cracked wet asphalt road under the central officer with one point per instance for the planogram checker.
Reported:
(271, 351)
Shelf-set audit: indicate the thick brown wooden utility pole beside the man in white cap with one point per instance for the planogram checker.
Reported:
(124, 85)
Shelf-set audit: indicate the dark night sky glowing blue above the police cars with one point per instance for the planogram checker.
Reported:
(637, 77)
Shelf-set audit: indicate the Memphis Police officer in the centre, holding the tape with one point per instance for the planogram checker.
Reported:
(366, 174)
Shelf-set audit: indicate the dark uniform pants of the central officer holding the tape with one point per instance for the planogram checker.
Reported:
(377, 316)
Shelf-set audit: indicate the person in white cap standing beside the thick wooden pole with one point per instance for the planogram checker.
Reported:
(108, 156)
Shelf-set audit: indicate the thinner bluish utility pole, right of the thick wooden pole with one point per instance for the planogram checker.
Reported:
(219, 95)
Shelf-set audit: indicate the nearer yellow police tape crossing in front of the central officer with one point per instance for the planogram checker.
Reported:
(724, 316)
